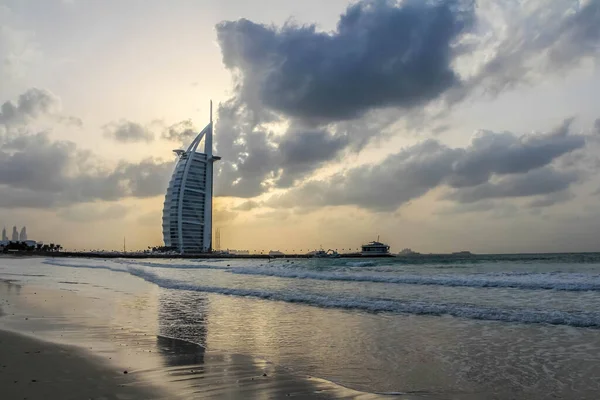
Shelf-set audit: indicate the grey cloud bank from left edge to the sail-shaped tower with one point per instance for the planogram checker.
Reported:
(38, 172)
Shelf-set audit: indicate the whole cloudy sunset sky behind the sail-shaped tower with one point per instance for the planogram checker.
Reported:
(439, 126)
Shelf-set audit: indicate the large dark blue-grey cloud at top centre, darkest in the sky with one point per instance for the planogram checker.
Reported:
(383, 53)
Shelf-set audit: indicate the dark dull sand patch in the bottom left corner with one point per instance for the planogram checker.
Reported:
(32, 369)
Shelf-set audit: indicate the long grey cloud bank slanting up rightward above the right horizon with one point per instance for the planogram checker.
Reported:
(495, 165)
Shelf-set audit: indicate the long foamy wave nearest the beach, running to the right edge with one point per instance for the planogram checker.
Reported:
(576, 319)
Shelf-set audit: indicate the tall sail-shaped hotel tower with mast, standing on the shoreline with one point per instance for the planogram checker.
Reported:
(187, 212)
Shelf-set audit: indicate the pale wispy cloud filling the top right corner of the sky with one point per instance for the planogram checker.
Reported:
(520, 42)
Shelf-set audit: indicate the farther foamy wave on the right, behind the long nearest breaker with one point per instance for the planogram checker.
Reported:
(529, 281)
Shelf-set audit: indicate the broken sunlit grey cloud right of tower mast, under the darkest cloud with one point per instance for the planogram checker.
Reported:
(255, 160)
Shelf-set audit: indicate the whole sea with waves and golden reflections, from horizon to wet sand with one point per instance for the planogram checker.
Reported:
(443, 327)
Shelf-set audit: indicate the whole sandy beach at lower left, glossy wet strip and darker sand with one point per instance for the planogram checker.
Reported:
(158, 367)
